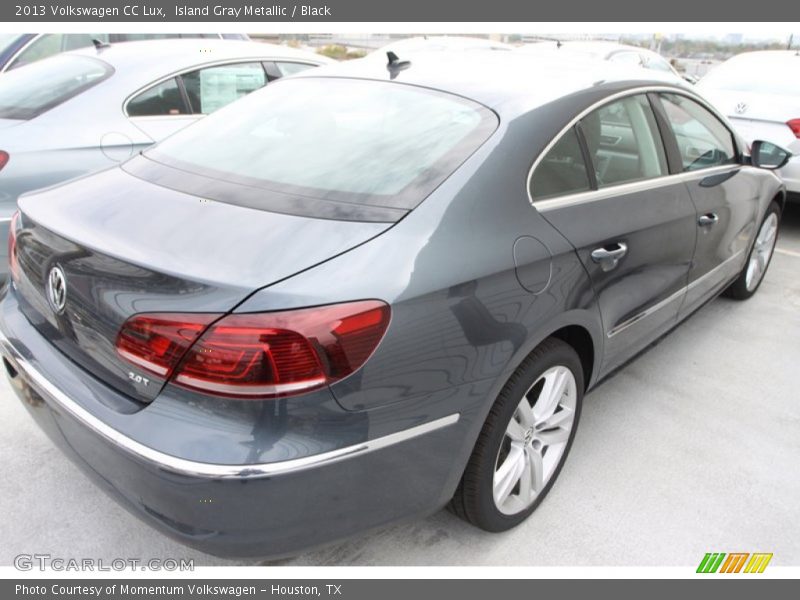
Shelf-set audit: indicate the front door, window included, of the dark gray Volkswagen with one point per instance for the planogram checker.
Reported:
(725, 198)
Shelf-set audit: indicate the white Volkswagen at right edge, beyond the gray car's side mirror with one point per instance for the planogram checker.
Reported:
(762, 101)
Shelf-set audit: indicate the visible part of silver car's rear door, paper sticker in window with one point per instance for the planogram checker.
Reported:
(170, 105)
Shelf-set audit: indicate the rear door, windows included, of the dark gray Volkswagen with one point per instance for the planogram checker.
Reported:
(631, 223)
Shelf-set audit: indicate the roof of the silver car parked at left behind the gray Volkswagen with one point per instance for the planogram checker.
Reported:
(142, 62)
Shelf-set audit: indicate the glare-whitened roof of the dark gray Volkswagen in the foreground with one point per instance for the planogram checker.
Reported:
(508, 82)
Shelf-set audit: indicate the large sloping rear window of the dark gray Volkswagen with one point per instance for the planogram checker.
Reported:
(337, 140)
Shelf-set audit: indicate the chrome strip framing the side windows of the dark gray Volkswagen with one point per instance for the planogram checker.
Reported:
(542, 204)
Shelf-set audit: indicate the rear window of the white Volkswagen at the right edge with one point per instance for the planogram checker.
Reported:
(756, 74)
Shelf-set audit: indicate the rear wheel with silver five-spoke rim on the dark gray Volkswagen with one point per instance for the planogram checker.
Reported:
(524, 441)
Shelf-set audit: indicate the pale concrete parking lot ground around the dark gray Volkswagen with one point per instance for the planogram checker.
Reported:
(692, 448)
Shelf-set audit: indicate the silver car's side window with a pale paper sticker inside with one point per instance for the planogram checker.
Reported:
(212, 88)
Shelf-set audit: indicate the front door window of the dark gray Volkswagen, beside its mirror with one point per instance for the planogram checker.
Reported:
(703, 140)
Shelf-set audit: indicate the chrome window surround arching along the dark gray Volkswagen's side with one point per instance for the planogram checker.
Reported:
(642, 184)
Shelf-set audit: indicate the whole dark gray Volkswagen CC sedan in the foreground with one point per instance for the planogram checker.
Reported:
(369, 291)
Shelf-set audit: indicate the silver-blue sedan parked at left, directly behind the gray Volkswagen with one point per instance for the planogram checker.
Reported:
(87, 110)
